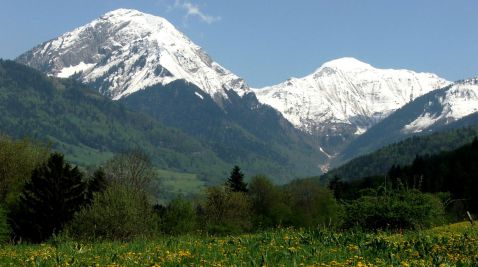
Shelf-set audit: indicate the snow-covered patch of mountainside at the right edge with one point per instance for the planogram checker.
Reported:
(453, 103)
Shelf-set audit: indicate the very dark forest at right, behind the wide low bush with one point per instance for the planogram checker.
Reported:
(450, 175)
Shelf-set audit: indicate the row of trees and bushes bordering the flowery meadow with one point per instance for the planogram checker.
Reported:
(42, 195)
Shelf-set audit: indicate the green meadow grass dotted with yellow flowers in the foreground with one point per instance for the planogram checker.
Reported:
(454, 245)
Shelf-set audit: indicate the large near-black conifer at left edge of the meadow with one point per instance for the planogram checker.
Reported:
(49, 200)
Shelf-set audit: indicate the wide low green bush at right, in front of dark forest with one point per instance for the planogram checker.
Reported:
(400, 209)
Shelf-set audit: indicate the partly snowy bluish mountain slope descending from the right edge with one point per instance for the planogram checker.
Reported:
(450, 107)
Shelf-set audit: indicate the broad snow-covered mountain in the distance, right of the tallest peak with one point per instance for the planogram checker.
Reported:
(346, 95)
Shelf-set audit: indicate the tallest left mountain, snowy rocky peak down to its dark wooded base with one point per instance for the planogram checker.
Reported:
(146, 64)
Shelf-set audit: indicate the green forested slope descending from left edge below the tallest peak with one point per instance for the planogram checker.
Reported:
(89, 127)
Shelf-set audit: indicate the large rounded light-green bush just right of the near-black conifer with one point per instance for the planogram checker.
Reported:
(118, 213)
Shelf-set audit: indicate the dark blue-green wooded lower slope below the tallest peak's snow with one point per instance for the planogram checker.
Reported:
(243, 132)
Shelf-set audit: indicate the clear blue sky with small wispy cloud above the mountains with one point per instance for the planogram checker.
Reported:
(268, 41)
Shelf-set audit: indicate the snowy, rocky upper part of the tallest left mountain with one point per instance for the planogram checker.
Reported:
(126, 50)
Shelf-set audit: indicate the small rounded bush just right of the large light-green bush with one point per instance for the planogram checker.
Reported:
(179, 217)
